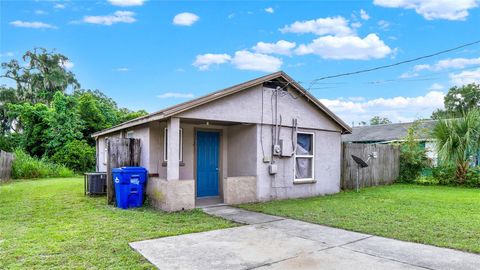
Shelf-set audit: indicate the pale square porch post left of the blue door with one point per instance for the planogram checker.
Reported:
(173, 138)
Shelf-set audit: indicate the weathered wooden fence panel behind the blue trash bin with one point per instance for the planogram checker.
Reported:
(120, 152)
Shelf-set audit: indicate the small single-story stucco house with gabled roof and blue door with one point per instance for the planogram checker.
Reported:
(263, 139)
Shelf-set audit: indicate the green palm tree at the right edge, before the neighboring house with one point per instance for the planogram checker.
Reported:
(457, 140)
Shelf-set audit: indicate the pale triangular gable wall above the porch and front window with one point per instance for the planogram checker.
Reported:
(247, 106)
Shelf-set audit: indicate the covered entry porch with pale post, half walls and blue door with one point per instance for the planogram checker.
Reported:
(195, 162)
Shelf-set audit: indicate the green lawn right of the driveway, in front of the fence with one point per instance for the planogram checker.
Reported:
(435, 215)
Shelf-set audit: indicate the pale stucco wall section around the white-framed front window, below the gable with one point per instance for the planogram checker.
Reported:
(327, 167)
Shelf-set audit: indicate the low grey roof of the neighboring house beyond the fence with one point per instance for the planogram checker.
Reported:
(389, 132)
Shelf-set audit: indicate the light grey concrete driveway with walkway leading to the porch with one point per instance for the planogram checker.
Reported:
(270, 242)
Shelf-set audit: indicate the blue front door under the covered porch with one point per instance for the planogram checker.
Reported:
(208, 148)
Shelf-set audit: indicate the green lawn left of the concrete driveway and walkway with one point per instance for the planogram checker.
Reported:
(49, 224)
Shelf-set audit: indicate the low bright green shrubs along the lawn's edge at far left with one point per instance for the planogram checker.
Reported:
(26, 167)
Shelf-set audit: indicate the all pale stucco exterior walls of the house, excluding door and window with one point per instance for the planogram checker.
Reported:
(243, 148)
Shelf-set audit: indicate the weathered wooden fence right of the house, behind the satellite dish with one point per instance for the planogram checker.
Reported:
(382, 170)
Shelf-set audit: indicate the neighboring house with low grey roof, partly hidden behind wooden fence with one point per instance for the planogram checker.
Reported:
(389, 133)
